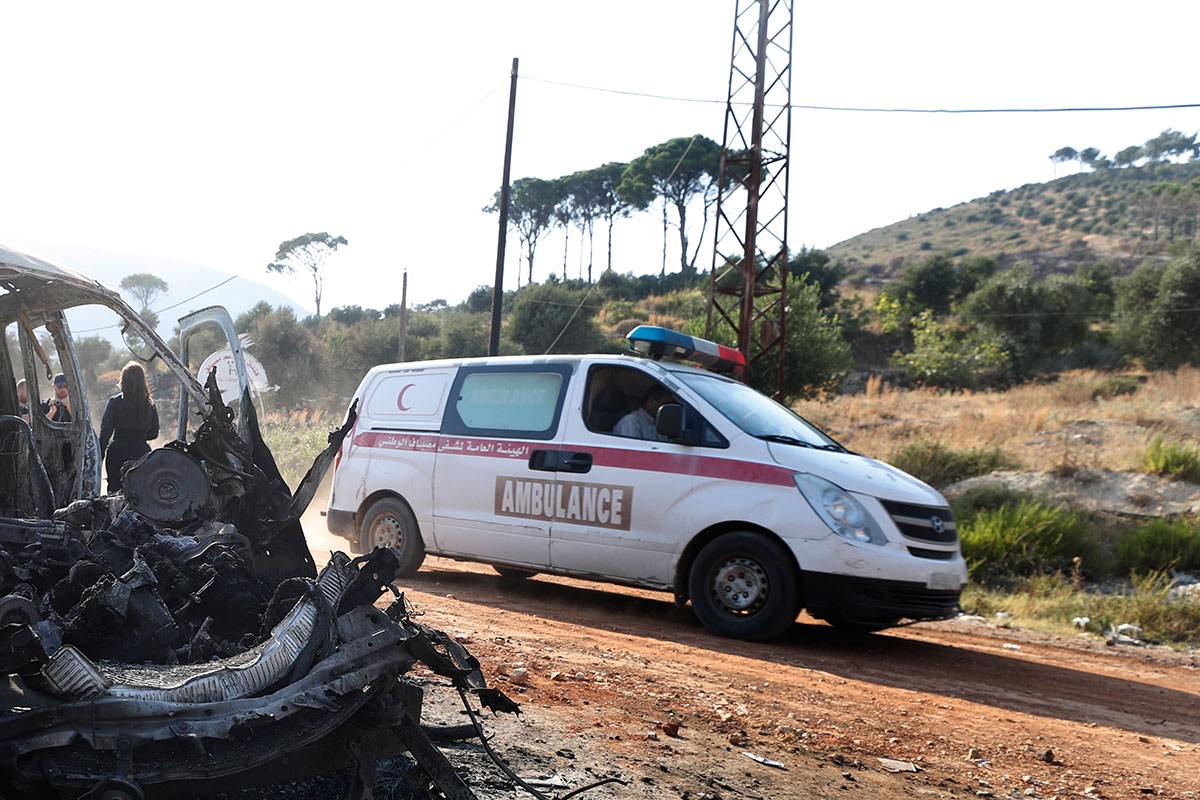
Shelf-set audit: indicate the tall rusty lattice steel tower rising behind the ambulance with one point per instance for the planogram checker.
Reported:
(748, 285)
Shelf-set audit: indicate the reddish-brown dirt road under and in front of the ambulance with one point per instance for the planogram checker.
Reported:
(605, 675)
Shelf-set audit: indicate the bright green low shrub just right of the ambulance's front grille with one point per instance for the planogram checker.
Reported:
(1023, 540)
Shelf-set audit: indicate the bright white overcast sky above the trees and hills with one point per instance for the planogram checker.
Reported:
(212, 133)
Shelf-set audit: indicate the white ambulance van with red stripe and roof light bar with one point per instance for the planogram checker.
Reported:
(736, 503)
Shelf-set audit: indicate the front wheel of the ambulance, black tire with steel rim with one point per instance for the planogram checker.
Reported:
(745, 586)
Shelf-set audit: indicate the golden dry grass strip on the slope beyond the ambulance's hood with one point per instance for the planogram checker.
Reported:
(1081, 420)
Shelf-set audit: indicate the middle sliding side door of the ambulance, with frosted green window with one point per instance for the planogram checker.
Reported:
(493, 496)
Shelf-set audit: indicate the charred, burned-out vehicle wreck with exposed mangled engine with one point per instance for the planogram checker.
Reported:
(177, 640)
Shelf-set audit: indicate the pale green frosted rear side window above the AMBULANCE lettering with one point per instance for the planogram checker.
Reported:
(523, 401)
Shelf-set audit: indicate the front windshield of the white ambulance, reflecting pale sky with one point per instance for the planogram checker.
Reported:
(757, 414)
